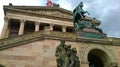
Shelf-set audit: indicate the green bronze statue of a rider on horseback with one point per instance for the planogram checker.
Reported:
(79, 15)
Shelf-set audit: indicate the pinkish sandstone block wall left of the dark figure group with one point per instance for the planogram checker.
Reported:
(36, 54)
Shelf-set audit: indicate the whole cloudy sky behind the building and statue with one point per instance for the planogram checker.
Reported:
(107, 11)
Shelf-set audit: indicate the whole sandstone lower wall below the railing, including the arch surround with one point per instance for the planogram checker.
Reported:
(41, 53)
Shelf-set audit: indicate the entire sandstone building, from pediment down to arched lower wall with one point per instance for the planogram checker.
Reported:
(31, 33)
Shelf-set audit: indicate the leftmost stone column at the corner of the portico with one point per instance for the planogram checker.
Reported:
(5, 28)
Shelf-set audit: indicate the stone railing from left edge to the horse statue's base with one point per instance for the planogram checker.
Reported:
(18, 40)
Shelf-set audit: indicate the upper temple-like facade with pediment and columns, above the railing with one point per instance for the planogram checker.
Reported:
(27, 23)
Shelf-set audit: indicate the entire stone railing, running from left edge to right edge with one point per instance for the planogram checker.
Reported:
(26, 38)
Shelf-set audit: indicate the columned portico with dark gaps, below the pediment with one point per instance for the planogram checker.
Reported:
(23, 24)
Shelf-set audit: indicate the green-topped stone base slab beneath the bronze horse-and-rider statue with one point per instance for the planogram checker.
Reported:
(91, 37)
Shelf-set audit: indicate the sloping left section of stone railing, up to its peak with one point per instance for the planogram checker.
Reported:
(9, 42)
